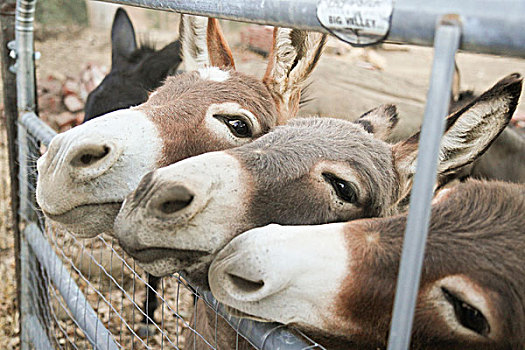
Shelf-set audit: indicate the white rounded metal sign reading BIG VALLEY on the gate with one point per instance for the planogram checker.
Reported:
(358, 22)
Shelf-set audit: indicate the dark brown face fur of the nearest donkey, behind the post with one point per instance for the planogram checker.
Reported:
(477, 231)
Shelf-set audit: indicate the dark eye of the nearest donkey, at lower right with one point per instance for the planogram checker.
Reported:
(467, 315)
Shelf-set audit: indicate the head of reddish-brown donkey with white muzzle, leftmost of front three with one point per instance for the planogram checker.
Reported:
(87, 171)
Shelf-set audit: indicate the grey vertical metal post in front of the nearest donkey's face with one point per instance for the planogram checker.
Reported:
(446, 43)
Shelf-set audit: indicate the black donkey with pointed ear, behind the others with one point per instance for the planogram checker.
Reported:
(135, 71)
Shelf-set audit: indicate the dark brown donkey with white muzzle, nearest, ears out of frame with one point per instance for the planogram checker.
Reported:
(338, 280)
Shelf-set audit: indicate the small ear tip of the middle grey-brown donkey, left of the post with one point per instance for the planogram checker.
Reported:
(379, 121)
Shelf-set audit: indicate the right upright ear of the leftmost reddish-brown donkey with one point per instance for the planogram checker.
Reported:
(294, 55)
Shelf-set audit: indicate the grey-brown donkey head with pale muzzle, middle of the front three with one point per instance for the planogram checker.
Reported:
(310, 171)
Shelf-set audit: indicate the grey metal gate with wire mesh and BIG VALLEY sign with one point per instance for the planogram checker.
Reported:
(78, 294)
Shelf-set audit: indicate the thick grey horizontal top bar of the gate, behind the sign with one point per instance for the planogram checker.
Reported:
(489, 26)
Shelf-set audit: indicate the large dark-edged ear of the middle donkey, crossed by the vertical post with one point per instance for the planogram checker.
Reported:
(468, 132)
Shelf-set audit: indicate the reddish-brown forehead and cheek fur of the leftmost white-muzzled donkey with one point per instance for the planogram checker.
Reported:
(179, 107)
